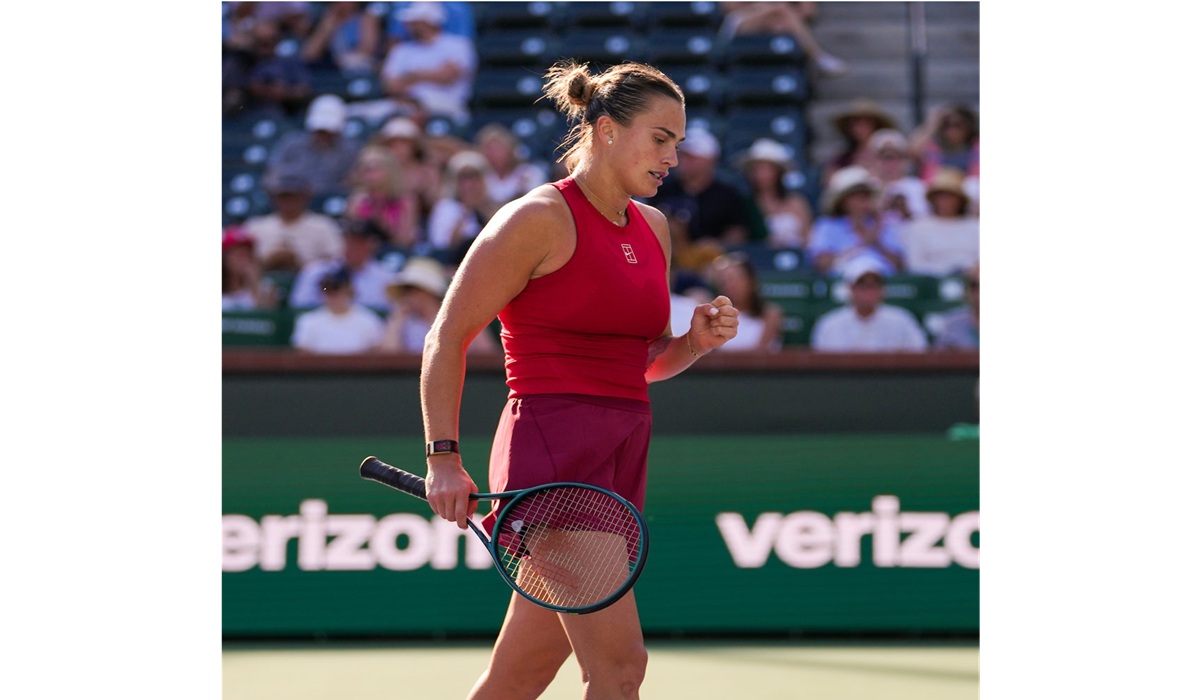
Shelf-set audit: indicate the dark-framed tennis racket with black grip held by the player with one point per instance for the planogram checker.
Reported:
(572, 548)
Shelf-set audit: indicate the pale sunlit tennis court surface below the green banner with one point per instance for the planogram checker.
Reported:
(742, 671)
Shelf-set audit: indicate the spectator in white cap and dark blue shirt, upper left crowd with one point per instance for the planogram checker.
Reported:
(322, 152)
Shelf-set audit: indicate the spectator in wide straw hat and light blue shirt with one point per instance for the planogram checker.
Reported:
(851, 225)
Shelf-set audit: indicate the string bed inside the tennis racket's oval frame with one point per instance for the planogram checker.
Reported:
(572, 547)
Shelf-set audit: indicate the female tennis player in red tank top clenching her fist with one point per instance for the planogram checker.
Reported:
(578, 273)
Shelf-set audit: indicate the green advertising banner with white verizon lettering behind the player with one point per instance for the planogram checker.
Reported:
(794, 535)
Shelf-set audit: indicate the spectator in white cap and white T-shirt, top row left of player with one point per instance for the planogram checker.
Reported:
(434, 74)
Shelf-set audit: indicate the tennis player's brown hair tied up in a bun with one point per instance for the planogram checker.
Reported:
(623, 92)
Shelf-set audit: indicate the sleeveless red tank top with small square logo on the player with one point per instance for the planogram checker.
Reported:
(586, 328)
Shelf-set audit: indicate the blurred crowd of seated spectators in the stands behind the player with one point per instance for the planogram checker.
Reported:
(371, 276)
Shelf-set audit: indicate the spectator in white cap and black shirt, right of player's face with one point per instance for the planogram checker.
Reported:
(705, 210)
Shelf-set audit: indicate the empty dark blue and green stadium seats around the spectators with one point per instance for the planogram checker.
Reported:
(740, 88)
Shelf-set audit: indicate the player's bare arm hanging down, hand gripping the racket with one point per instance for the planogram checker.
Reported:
(519, 244)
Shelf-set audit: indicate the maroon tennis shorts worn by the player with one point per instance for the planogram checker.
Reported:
(568, 438)
